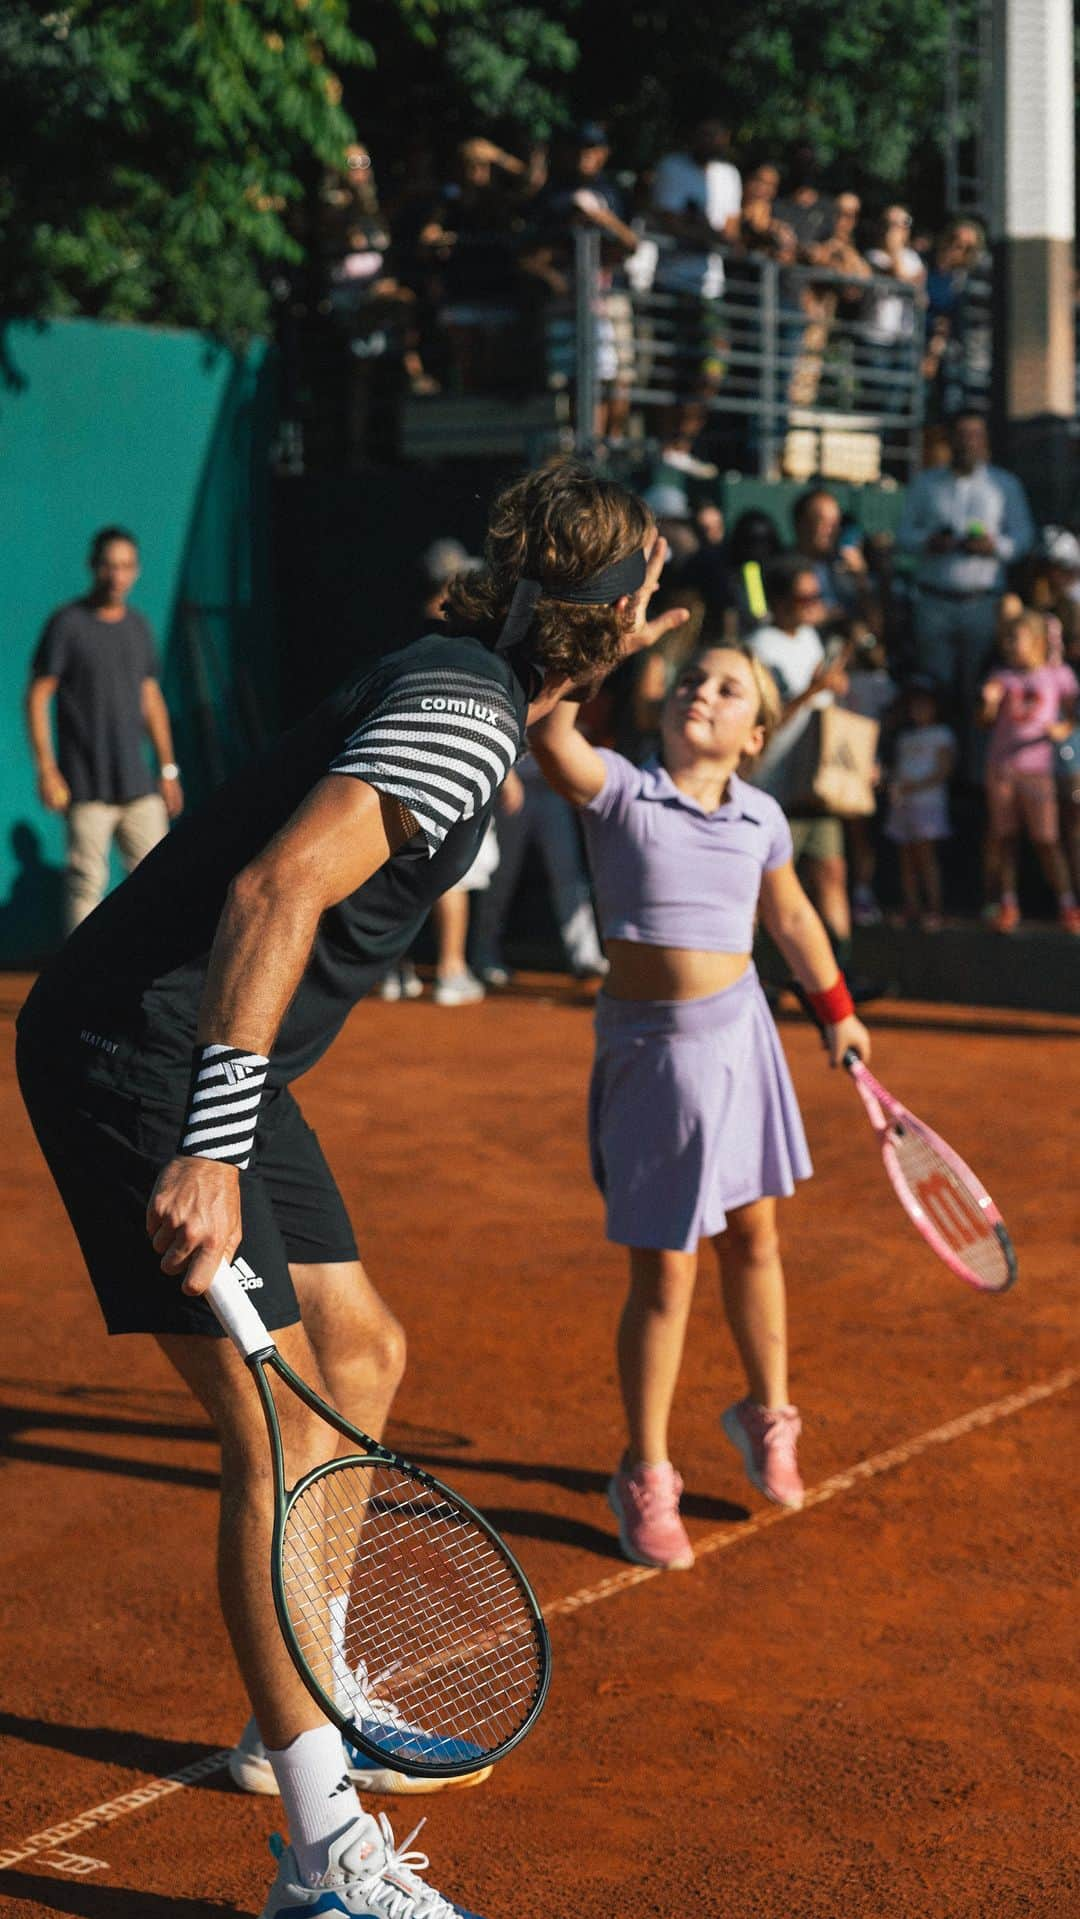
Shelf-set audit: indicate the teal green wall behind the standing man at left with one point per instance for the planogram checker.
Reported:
(170, 437)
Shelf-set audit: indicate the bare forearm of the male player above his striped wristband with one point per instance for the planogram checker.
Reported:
(258, 960)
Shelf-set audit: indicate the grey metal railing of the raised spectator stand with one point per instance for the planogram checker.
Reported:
(805, 366)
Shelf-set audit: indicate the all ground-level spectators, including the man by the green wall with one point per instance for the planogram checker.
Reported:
(929, 713)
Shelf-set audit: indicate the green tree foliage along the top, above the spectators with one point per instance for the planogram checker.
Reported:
(153, 151)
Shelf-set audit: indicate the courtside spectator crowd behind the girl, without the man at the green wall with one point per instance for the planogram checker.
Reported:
(947, 657)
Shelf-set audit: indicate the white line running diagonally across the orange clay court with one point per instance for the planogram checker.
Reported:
(732, 1536)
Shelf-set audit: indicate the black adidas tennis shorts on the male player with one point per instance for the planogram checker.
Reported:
(106, 1149)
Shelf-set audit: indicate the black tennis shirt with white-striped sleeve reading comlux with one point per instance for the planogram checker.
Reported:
(436, 726)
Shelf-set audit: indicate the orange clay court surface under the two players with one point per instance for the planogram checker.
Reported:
(855, 1713)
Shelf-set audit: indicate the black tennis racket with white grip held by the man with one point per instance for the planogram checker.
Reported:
(406, 1617)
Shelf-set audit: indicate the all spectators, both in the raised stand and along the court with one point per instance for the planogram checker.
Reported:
(927, 676)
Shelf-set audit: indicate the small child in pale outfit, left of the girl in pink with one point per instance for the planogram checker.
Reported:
(920, 805)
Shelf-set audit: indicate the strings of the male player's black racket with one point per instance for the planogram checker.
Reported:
(410, 1615)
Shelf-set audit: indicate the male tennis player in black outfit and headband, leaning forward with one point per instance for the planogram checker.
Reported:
(158, 1049)
